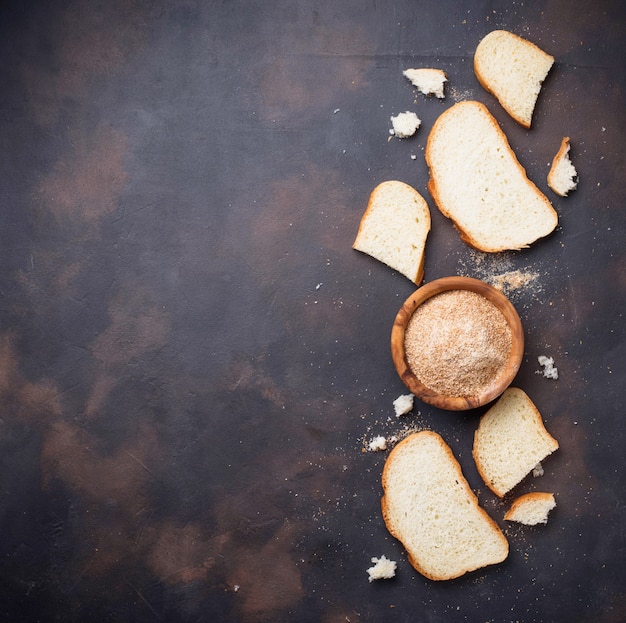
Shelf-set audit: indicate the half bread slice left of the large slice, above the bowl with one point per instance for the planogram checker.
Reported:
(394, 228)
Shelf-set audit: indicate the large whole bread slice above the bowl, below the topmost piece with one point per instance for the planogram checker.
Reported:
(476, 180)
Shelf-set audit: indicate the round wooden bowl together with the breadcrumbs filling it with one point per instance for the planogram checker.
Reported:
(457, 343)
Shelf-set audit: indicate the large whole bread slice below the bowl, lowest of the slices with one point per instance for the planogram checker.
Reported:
(430, 508)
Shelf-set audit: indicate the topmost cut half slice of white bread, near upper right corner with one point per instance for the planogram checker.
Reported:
(513, 69)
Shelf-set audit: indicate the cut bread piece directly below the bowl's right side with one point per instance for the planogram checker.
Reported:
(510, 440)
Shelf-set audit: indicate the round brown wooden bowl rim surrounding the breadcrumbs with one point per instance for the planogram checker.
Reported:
(497, 385)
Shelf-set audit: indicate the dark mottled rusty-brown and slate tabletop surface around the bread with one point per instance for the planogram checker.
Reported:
(192, 358)
